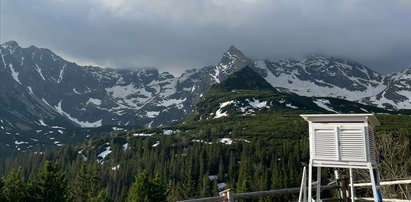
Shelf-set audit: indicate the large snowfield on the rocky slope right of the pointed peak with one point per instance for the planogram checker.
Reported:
(287, 74)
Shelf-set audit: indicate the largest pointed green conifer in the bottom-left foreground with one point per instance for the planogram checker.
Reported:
(50, 184)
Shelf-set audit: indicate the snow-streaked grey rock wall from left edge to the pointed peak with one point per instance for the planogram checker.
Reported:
(92, 96)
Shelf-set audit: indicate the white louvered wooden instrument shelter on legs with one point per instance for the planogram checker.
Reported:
(342, 141)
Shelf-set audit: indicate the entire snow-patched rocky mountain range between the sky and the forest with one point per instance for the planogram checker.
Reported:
(46, 100)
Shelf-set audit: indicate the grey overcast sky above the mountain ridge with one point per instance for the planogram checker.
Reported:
(174, 35)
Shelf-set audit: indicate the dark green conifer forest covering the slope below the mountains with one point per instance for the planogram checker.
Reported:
(193, 163)
